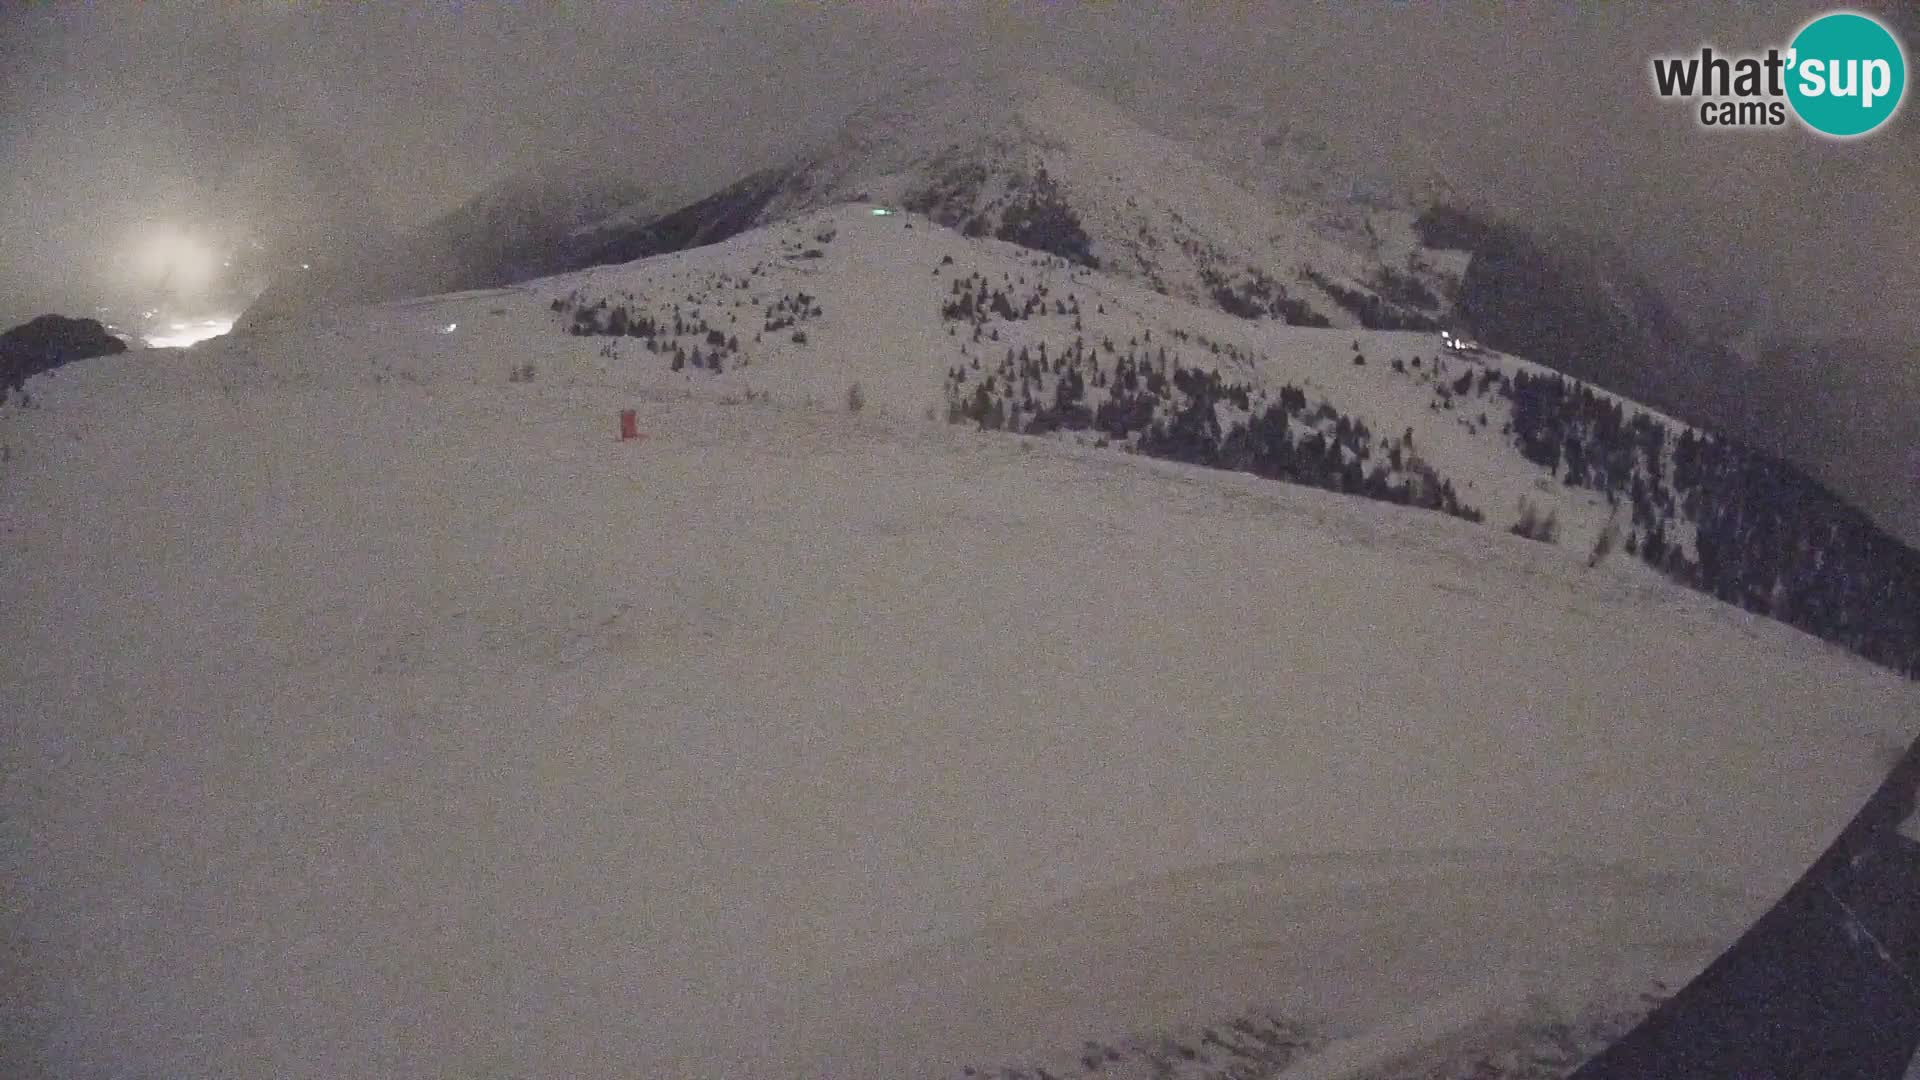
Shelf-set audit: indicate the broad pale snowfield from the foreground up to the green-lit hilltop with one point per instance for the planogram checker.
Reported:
(379, 712)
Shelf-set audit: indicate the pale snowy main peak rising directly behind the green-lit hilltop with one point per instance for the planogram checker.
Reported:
(1055, 168)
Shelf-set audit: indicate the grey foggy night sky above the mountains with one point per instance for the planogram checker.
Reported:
(325, 122)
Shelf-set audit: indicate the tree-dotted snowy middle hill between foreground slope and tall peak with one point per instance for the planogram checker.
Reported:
(1042, 345)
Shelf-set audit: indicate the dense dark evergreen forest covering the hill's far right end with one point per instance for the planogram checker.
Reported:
(1767, 537)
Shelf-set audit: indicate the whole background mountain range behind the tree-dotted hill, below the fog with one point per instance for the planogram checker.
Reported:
(1232, 207)
